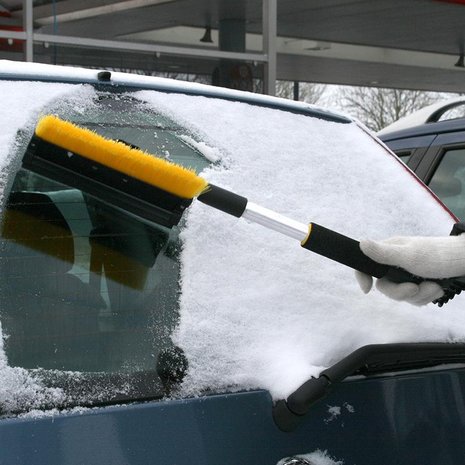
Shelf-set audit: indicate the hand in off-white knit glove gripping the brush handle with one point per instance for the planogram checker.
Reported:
(428, 257)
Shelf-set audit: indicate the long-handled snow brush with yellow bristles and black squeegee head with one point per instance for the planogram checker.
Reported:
(158, 190)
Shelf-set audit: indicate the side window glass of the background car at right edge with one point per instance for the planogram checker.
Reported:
(448, 181)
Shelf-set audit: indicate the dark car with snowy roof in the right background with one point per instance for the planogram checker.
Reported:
(432, 143)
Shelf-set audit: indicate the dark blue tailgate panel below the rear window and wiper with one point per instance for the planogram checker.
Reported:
(414, 418)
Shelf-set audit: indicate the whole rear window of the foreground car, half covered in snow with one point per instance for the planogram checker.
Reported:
(98, 299)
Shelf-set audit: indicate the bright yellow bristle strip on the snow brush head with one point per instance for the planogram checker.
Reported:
(165, 175)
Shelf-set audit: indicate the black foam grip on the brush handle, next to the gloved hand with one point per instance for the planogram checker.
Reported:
(342, 249)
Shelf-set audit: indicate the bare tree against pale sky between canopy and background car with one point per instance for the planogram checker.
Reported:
(378, 107)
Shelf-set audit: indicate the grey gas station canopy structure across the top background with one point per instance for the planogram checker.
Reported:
(408, 44)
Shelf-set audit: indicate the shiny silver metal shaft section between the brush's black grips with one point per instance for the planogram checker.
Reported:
(275, 221)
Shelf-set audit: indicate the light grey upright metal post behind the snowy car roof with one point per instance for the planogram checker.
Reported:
(270, 20)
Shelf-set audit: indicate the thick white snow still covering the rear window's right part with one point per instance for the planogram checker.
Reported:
(257, 310)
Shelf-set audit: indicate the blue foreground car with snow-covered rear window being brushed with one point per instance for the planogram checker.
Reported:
(138, 328)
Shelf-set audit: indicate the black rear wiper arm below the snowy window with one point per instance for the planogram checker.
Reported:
(368, 360)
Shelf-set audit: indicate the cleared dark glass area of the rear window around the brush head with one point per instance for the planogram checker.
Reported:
(89, 292)
